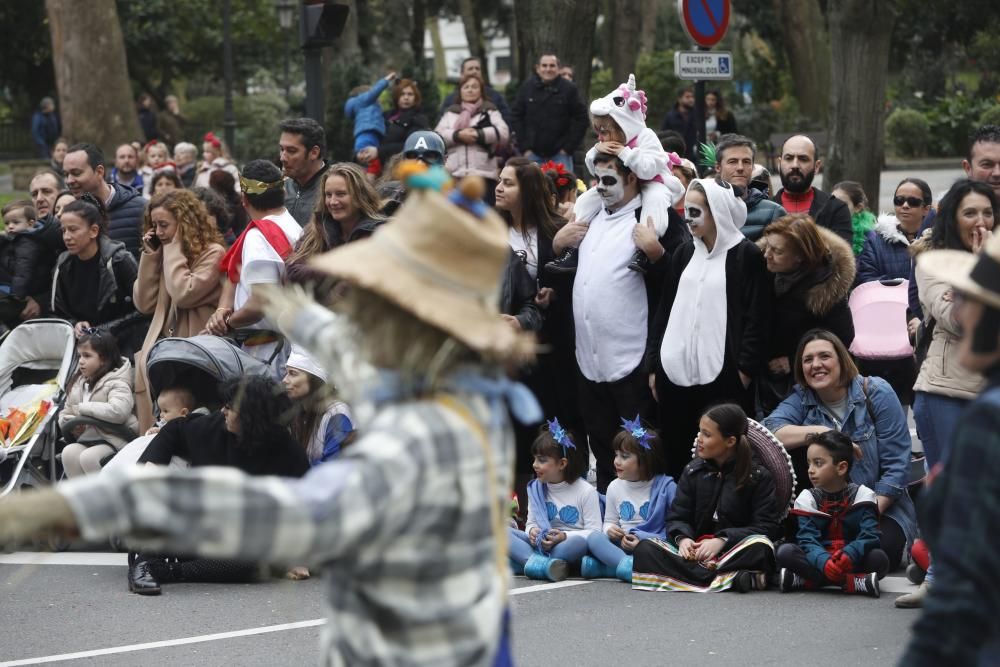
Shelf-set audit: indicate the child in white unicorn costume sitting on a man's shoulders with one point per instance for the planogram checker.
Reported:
(619, 119)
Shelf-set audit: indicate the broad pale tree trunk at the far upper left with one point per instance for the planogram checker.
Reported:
(95, 97)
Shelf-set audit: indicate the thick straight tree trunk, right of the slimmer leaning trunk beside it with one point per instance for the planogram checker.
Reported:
(860, 32)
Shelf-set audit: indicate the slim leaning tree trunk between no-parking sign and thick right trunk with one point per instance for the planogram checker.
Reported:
(807, 50)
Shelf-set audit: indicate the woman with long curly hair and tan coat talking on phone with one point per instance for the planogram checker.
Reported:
(178, 282)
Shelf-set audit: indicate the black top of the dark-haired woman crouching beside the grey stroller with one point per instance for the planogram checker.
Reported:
(202, 440)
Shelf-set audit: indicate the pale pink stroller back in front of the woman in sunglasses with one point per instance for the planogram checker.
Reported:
(879, 312)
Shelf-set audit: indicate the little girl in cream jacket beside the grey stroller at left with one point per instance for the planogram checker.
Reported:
(101, 389)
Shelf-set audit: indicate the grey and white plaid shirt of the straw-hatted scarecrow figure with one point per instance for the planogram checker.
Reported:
(402, 519)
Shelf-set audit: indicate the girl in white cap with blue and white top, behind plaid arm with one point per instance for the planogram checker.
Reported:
(320, 422)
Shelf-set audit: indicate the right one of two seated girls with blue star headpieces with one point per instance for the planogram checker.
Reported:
(636, 506)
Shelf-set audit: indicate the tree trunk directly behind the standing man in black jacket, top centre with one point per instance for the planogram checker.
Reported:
(562, 27)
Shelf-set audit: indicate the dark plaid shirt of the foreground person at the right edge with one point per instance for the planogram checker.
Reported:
(961, 521)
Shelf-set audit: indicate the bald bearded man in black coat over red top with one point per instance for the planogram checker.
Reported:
(799, 165)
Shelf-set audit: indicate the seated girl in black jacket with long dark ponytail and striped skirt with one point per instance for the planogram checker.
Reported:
(722, 520)
